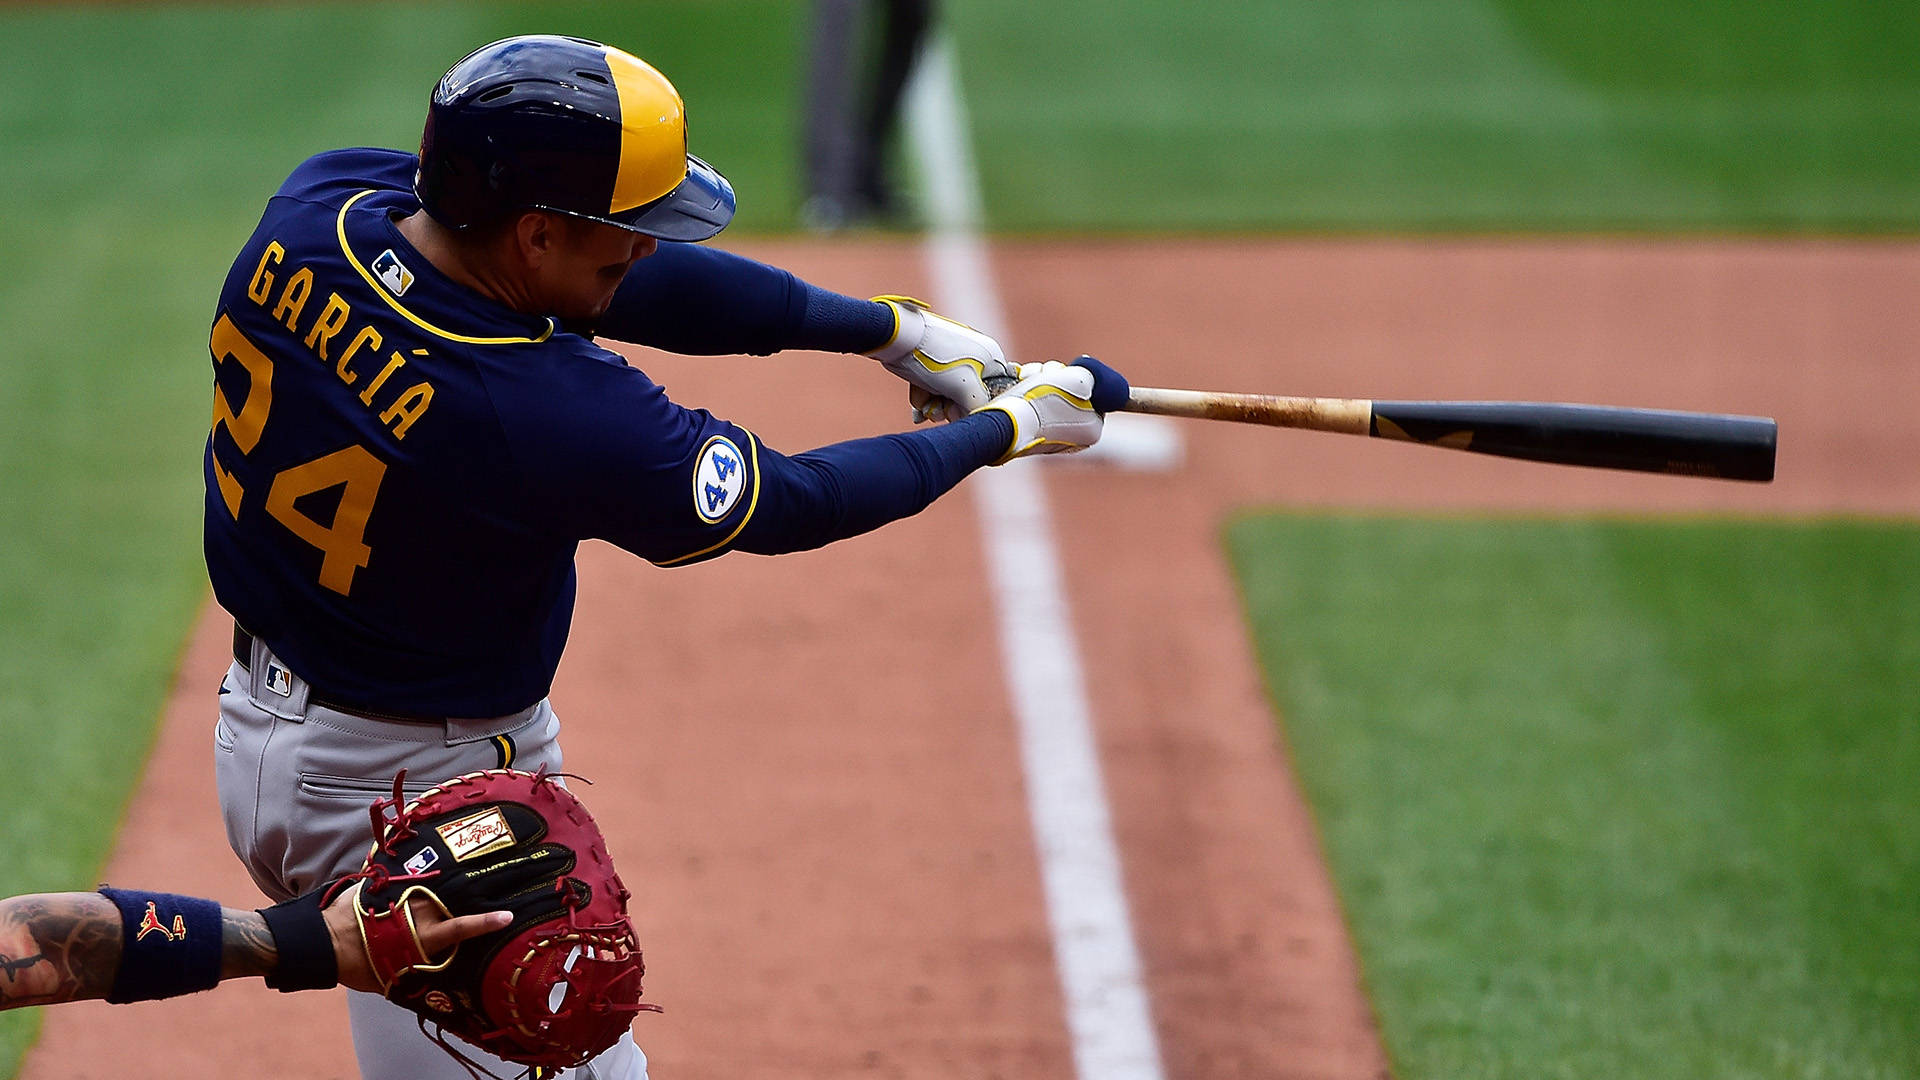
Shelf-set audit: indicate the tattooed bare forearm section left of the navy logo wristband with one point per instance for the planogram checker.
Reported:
(57, 948)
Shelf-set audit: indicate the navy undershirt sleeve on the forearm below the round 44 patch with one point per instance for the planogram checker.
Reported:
(853, 487)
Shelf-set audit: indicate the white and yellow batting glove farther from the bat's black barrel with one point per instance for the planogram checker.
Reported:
(944, 360)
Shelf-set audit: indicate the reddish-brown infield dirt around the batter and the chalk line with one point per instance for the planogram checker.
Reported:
(828, 843)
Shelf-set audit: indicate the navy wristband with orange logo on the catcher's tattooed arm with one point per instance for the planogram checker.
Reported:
(170, 946)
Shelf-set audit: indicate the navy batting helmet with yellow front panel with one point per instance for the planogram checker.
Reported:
(571, 126)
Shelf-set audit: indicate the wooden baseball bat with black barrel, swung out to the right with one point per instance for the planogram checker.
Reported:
(1606, 437)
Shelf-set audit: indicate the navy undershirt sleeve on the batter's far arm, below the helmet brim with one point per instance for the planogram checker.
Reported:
(692, 299)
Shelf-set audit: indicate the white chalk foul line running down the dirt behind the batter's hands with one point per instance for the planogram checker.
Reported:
(1107, 1006)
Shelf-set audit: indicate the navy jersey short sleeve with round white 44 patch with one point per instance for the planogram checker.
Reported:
(608, 456)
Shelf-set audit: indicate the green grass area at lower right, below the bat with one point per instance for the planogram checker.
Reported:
(1612, 798)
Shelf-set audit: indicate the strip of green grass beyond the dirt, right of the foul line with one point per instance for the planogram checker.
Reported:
(1445, 114)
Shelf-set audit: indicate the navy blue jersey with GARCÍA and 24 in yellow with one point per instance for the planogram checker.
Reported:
(400, 470)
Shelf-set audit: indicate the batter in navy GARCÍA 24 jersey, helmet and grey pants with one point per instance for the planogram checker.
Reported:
(414, 430)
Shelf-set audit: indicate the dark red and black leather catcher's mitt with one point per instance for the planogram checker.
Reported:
(562, 983)
